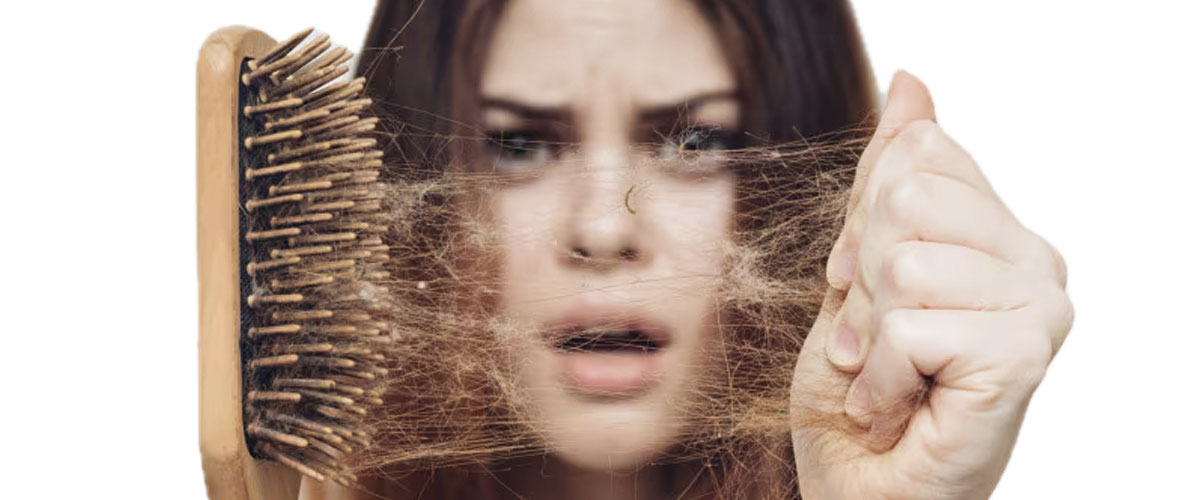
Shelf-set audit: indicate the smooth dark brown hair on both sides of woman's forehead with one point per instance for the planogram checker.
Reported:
(802, 68)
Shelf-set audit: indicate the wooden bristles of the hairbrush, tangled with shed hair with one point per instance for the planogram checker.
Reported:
(314, 214)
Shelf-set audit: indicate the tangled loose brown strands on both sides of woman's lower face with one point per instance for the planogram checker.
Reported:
(453, 400)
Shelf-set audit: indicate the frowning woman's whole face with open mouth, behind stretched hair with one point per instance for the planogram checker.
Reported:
(610, 117)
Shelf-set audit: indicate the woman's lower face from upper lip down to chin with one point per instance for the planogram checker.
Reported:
(609, 390)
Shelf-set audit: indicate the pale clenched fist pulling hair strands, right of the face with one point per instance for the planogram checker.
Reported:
(943, 316)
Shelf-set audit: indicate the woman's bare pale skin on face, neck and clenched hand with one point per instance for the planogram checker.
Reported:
(933, 279)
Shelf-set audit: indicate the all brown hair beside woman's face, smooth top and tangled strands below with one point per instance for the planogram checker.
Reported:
(452, 411)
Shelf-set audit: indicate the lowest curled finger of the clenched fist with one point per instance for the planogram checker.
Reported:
(982, 366)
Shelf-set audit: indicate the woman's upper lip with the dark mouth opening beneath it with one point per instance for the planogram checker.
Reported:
(586, 329)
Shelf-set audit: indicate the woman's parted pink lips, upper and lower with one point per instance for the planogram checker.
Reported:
(609, 353)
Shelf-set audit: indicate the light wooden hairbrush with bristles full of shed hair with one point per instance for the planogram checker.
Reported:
(291, 256)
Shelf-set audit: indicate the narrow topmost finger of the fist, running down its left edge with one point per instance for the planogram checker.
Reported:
(909, 101)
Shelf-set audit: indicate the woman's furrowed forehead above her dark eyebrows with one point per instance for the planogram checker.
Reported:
(563, 52)
